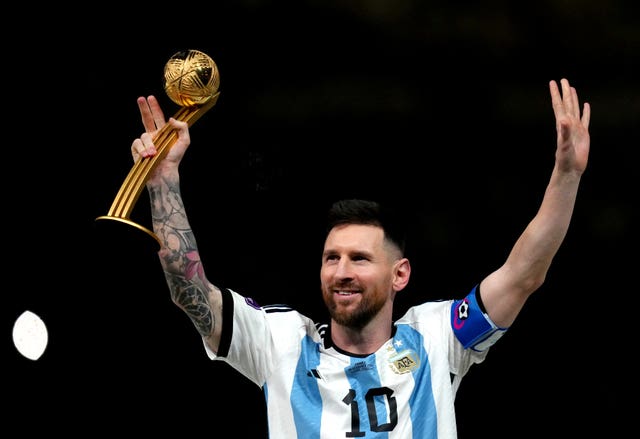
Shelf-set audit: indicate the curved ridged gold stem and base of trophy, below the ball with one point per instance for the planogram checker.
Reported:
(131, 189)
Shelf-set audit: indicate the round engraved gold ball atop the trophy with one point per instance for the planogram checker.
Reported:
(191, 78)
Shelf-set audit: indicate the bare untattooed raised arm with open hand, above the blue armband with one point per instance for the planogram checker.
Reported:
(505, 291)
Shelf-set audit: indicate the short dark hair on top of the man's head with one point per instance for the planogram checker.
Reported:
(358, 211)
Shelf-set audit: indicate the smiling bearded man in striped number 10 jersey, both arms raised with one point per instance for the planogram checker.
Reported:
(362, 375)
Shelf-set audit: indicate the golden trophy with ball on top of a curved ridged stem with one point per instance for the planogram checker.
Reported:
(191, 80)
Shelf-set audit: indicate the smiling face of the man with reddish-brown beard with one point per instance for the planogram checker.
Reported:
(357, 273)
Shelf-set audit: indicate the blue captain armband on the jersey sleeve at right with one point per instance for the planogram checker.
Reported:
(472, 325)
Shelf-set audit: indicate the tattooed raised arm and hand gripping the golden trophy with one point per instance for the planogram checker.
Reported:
(179, 256)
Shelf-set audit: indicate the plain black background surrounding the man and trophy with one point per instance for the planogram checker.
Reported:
(440, 107)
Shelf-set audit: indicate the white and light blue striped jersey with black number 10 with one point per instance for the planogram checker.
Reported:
(313, 390)
